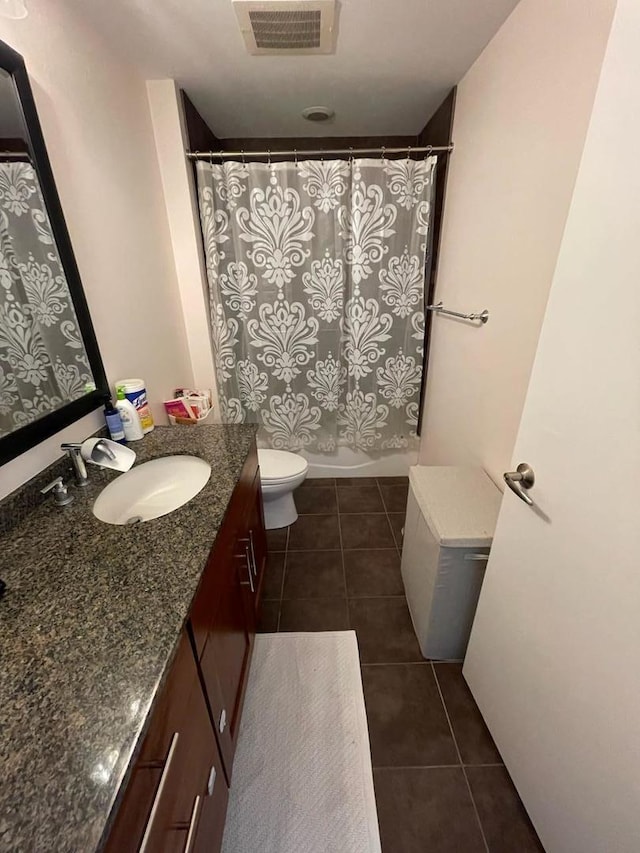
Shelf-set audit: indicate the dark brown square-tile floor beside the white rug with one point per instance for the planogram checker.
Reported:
(439, 780)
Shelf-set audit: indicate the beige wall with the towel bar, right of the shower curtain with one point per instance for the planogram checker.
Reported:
(519, 128)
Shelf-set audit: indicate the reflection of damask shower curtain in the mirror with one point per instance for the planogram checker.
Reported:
(43, 362)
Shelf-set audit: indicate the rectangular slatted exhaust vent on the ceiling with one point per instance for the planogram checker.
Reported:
(286, 26)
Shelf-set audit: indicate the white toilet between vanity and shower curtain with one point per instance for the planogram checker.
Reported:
(280, 473)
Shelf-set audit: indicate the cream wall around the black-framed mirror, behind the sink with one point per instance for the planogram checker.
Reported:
(97, 126)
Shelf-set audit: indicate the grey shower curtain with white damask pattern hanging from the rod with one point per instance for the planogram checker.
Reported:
(316, 277)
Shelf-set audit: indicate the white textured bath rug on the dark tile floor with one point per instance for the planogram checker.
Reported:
(302, 779)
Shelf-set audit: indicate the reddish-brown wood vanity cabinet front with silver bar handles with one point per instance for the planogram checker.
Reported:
(177, 796)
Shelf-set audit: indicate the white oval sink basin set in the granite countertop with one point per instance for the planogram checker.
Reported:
(152, 489)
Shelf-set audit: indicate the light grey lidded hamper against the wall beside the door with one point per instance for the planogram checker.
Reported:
(449, 527)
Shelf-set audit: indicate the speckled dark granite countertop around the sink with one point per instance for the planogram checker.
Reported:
(89, 625)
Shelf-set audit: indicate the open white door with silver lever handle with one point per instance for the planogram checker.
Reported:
(554, 656)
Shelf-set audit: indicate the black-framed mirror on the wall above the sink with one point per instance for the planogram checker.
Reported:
(51, 372)
